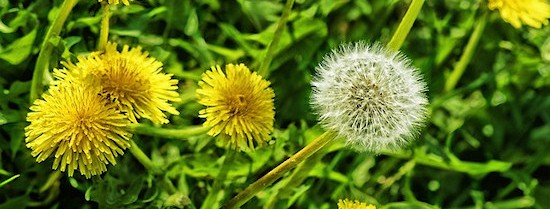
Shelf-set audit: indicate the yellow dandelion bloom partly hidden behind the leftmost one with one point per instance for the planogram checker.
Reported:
(130, 79)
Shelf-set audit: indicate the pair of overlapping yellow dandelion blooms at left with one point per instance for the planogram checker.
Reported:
(82, 121)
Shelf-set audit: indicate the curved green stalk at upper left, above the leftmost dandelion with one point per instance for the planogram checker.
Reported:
(46, 49)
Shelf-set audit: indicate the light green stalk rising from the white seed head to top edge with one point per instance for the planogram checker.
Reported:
(405, 26)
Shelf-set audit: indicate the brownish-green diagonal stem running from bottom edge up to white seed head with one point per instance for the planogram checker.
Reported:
(280, 170)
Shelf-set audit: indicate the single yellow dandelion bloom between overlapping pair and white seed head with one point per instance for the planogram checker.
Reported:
(239, 105)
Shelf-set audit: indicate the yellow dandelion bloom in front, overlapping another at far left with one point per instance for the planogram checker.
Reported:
(78, 127)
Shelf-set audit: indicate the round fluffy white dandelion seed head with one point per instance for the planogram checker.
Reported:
(370, 96)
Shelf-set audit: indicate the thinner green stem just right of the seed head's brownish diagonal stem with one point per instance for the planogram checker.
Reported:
(298, 176)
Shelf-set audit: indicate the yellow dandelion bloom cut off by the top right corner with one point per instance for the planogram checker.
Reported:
(534, 13)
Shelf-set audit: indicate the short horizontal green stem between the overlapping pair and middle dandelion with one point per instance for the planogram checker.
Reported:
(170, 133)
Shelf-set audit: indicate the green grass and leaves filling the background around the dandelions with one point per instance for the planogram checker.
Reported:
(485, 144)
